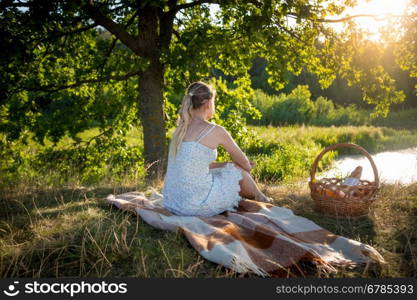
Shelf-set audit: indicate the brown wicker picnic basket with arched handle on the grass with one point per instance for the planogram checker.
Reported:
(332, 198)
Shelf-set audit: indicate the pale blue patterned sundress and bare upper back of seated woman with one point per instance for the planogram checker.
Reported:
(191, 187)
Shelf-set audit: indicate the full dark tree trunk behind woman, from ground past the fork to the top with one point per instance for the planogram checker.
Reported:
(151, 86)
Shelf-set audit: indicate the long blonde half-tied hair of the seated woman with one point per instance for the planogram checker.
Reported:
(194, 98)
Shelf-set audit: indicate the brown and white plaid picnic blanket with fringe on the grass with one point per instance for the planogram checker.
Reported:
(259, 237)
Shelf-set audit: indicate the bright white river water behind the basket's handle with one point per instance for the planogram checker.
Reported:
(398, 166)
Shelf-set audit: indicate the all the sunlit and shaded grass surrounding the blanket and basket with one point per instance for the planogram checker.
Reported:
(71, 231)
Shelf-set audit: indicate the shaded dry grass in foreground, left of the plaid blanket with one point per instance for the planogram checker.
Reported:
(73, 232)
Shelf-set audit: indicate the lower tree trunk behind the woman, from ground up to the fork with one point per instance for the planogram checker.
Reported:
(151, 85)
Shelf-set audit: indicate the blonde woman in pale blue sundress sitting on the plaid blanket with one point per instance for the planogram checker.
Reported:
(194, 184)
